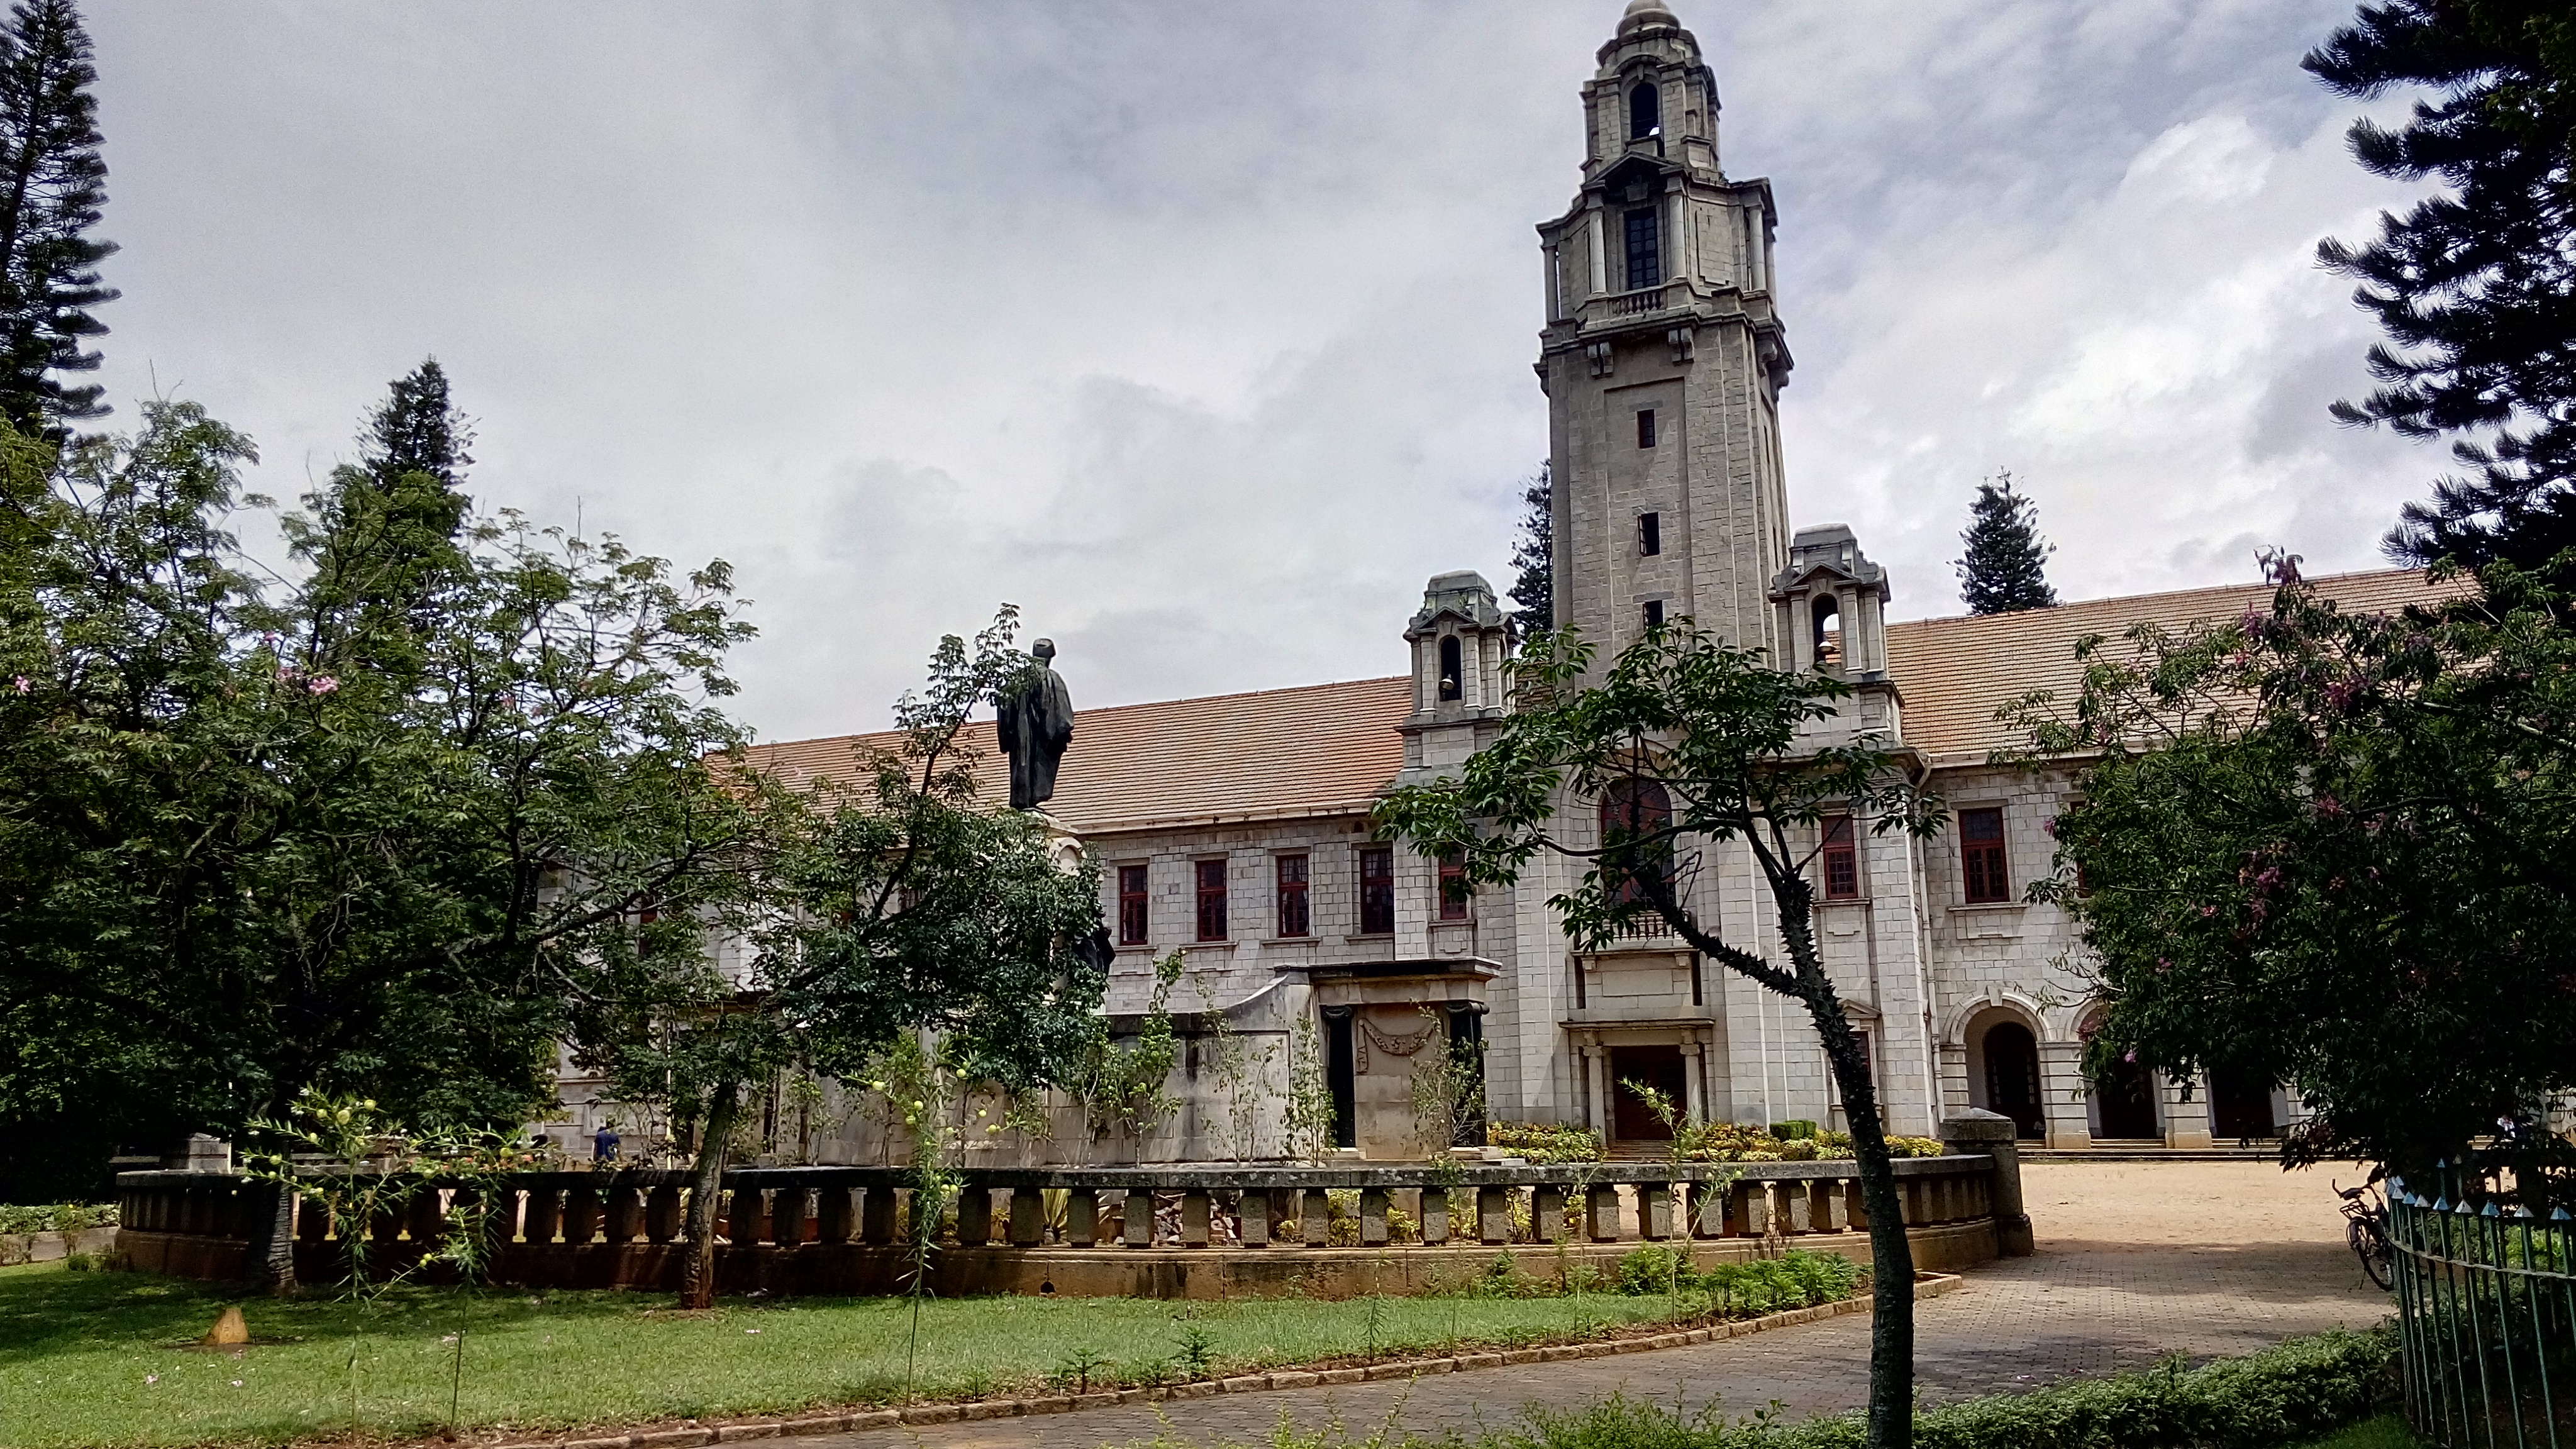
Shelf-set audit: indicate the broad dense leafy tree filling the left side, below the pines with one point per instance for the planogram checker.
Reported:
(251, 847)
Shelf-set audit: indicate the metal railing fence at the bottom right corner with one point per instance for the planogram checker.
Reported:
(2487, 1306)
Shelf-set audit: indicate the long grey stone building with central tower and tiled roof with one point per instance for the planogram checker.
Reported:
(1235, 829)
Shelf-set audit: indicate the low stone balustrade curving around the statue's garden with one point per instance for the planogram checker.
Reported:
(1070, 1229)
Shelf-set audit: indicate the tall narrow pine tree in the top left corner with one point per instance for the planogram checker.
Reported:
(53, 187)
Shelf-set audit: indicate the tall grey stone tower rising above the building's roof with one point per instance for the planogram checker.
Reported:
(1663, 360)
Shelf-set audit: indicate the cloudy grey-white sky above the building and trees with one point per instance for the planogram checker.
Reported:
(1204, 331)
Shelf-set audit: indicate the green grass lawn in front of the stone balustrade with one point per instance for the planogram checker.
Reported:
(97, 1360)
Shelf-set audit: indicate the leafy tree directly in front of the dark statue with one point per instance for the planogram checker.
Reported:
(900, 906)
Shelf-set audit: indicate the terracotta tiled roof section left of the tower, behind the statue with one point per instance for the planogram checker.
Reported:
(1233, 757)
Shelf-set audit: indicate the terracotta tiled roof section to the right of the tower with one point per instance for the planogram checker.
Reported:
(1956, 674)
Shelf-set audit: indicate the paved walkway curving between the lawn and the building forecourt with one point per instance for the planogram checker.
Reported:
(2137, 1262)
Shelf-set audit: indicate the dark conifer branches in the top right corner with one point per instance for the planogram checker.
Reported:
(2477, 285)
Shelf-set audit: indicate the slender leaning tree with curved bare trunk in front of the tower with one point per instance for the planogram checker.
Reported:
(1696, 746)
